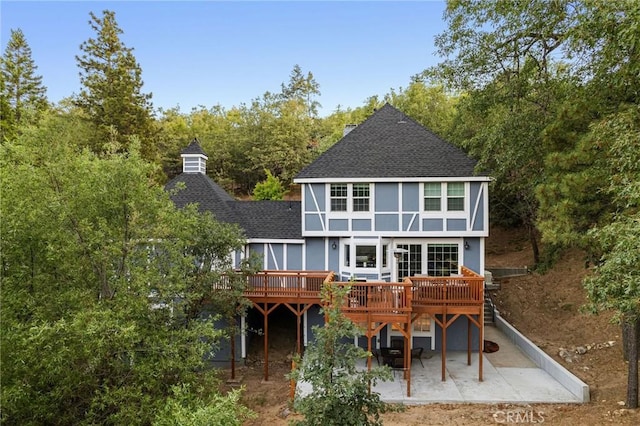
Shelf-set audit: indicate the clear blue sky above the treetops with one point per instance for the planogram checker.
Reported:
(213, 52)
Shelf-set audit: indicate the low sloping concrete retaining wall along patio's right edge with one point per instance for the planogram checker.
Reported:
(576, 386)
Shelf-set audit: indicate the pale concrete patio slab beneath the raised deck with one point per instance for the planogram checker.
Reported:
(510, 376)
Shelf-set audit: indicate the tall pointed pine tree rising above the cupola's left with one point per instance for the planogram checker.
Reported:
(112, 86)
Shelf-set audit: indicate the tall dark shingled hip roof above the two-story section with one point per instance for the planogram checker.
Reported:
(390, 145)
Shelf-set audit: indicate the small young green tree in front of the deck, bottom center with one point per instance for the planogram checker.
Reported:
(340, 392)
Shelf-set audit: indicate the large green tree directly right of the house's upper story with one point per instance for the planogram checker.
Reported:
(536, 76)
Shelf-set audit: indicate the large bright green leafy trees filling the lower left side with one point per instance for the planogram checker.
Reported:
(100, 277)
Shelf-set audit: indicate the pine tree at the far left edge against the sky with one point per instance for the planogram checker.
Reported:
(23, 95)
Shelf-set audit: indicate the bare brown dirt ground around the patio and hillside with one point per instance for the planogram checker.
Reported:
(546, 308)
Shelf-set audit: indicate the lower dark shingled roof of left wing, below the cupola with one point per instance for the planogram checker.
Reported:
(259, 219)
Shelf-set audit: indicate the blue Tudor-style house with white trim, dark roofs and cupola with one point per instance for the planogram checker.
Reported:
(391, 202)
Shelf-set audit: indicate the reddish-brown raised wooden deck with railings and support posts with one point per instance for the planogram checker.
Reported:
(374, 305)
